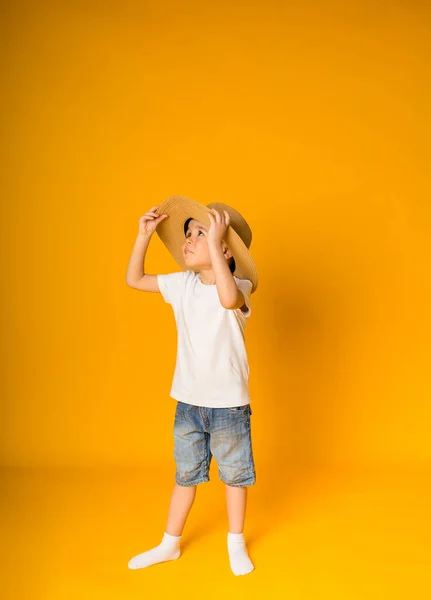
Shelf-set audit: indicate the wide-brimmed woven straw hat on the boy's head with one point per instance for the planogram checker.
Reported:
(238, 235)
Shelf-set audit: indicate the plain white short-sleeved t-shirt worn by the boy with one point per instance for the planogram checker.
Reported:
(211, 367)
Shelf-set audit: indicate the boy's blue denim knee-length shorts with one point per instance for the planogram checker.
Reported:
(201, 432)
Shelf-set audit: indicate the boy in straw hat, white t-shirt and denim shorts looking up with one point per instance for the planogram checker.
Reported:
(211, 306)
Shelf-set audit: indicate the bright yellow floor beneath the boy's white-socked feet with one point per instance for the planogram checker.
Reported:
(69, 533)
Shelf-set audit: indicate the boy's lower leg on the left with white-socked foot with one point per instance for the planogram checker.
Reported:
(182, 499)
